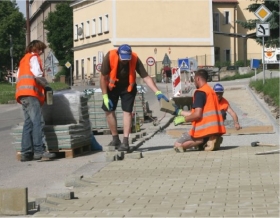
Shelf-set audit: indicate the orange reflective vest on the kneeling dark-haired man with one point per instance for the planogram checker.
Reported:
(211, 122)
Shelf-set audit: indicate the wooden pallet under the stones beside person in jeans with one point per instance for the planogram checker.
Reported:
(67, 153)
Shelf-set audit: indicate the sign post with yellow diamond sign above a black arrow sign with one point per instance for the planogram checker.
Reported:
(263, 29)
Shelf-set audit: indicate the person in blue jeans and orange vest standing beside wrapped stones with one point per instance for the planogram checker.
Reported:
(30, 93)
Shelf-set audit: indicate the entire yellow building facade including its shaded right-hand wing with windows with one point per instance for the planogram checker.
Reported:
(154, 28)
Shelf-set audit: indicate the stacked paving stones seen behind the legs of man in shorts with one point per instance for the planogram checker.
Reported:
(97, 116)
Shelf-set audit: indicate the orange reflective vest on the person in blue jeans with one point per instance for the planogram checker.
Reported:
(26, 84)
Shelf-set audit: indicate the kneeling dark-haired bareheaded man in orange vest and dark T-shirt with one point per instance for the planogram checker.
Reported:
(207, 121)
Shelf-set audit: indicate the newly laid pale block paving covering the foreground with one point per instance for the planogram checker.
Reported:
(231, 182)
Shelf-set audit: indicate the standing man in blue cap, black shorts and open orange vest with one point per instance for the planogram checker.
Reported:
(118, 80)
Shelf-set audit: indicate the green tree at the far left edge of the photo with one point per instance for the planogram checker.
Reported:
(12, 23)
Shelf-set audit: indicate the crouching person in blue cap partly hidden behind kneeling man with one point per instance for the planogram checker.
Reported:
(225, 106)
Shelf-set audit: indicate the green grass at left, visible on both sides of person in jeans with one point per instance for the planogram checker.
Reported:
(7, 90)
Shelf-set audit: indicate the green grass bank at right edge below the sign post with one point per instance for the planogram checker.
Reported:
(270, 88)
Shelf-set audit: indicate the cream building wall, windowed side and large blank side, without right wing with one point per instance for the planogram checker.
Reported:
(165, 26)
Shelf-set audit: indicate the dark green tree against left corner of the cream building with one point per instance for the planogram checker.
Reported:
(59, 25)
